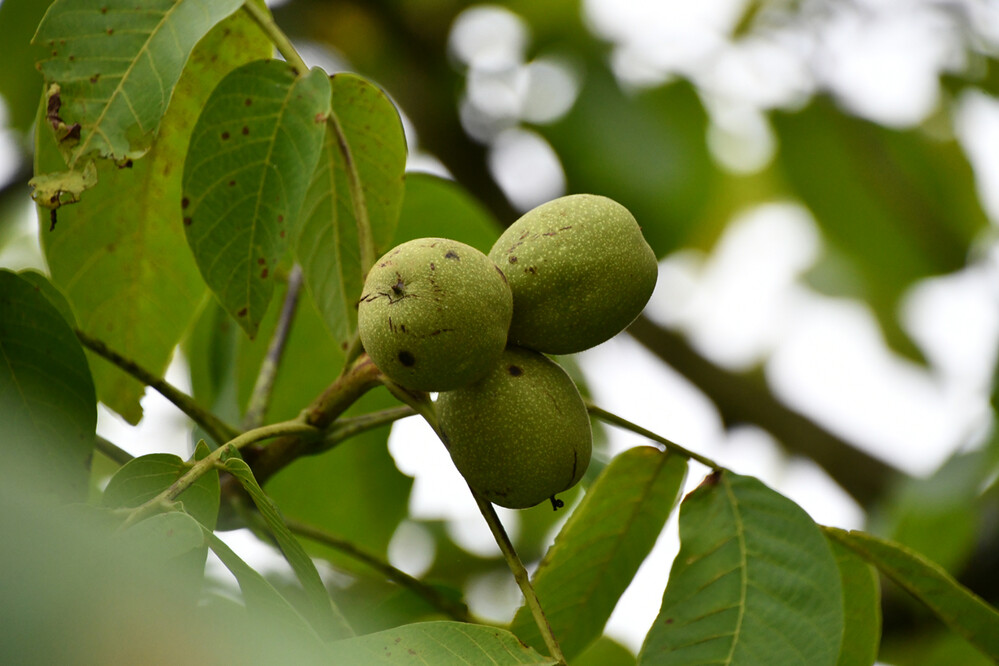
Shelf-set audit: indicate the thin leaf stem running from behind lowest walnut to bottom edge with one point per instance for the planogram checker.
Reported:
(421, 403)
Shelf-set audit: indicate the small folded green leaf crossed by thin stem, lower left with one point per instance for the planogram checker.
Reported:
(143, 478)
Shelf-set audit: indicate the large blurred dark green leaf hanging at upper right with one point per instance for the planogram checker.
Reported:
(898, 205)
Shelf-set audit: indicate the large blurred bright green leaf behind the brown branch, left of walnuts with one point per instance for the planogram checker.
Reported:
(324, 490)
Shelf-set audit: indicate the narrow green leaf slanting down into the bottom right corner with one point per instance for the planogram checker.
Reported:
(955, 605)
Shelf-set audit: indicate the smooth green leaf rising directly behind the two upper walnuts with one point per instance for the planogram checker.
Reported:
(436, 207)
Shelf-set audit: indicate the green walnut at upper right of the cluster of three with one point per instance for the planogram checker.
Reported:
(580, 271)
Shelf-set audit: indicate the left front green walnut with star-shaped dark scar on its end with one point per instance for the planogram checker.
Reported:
(434, 314)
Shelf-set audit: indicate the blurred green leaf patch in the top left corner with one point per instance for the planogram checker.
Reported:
(20, 82)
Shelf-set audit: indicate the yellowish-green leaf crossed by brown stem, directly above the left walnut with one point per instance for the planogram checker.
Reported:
(358, 183)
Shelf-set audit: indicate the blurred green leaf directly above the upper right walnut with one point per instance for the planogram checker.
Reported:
(645, 150)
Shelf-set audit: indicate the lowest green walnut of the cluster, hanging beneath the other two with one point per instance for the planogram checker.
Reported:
(519, 435)
